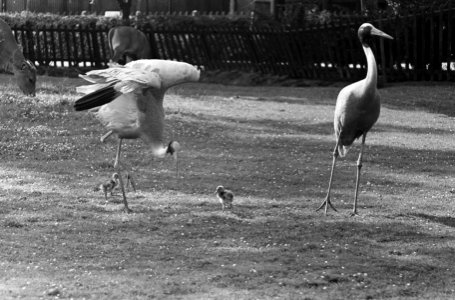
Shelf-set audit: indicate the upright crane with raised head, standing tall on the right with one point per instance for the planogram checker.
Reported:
(357, 109)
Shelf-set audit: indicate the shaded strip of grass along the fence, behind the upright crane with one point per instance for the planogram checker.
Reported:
(431, 98)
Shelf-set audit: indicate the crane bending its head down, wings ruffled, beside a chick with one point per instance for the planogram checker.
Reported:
(128, 100)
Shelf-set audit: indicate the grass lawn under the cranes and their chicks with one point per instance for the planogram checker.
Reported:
(272, 146)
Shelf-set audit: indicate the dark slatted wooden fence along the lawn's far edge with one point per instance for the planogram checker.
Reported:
(422, 49)
